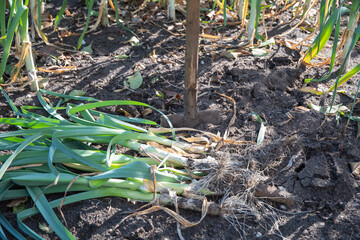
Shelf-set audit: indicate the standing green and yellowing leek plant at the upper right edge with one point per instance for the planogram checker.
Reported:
(330, 17)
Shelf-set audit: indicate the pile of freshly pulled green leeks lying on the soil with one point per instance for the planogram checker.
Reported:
(47, 150)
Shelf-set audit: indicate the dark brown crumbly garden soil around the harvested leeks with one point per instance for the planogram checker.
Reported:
(318, 147)
